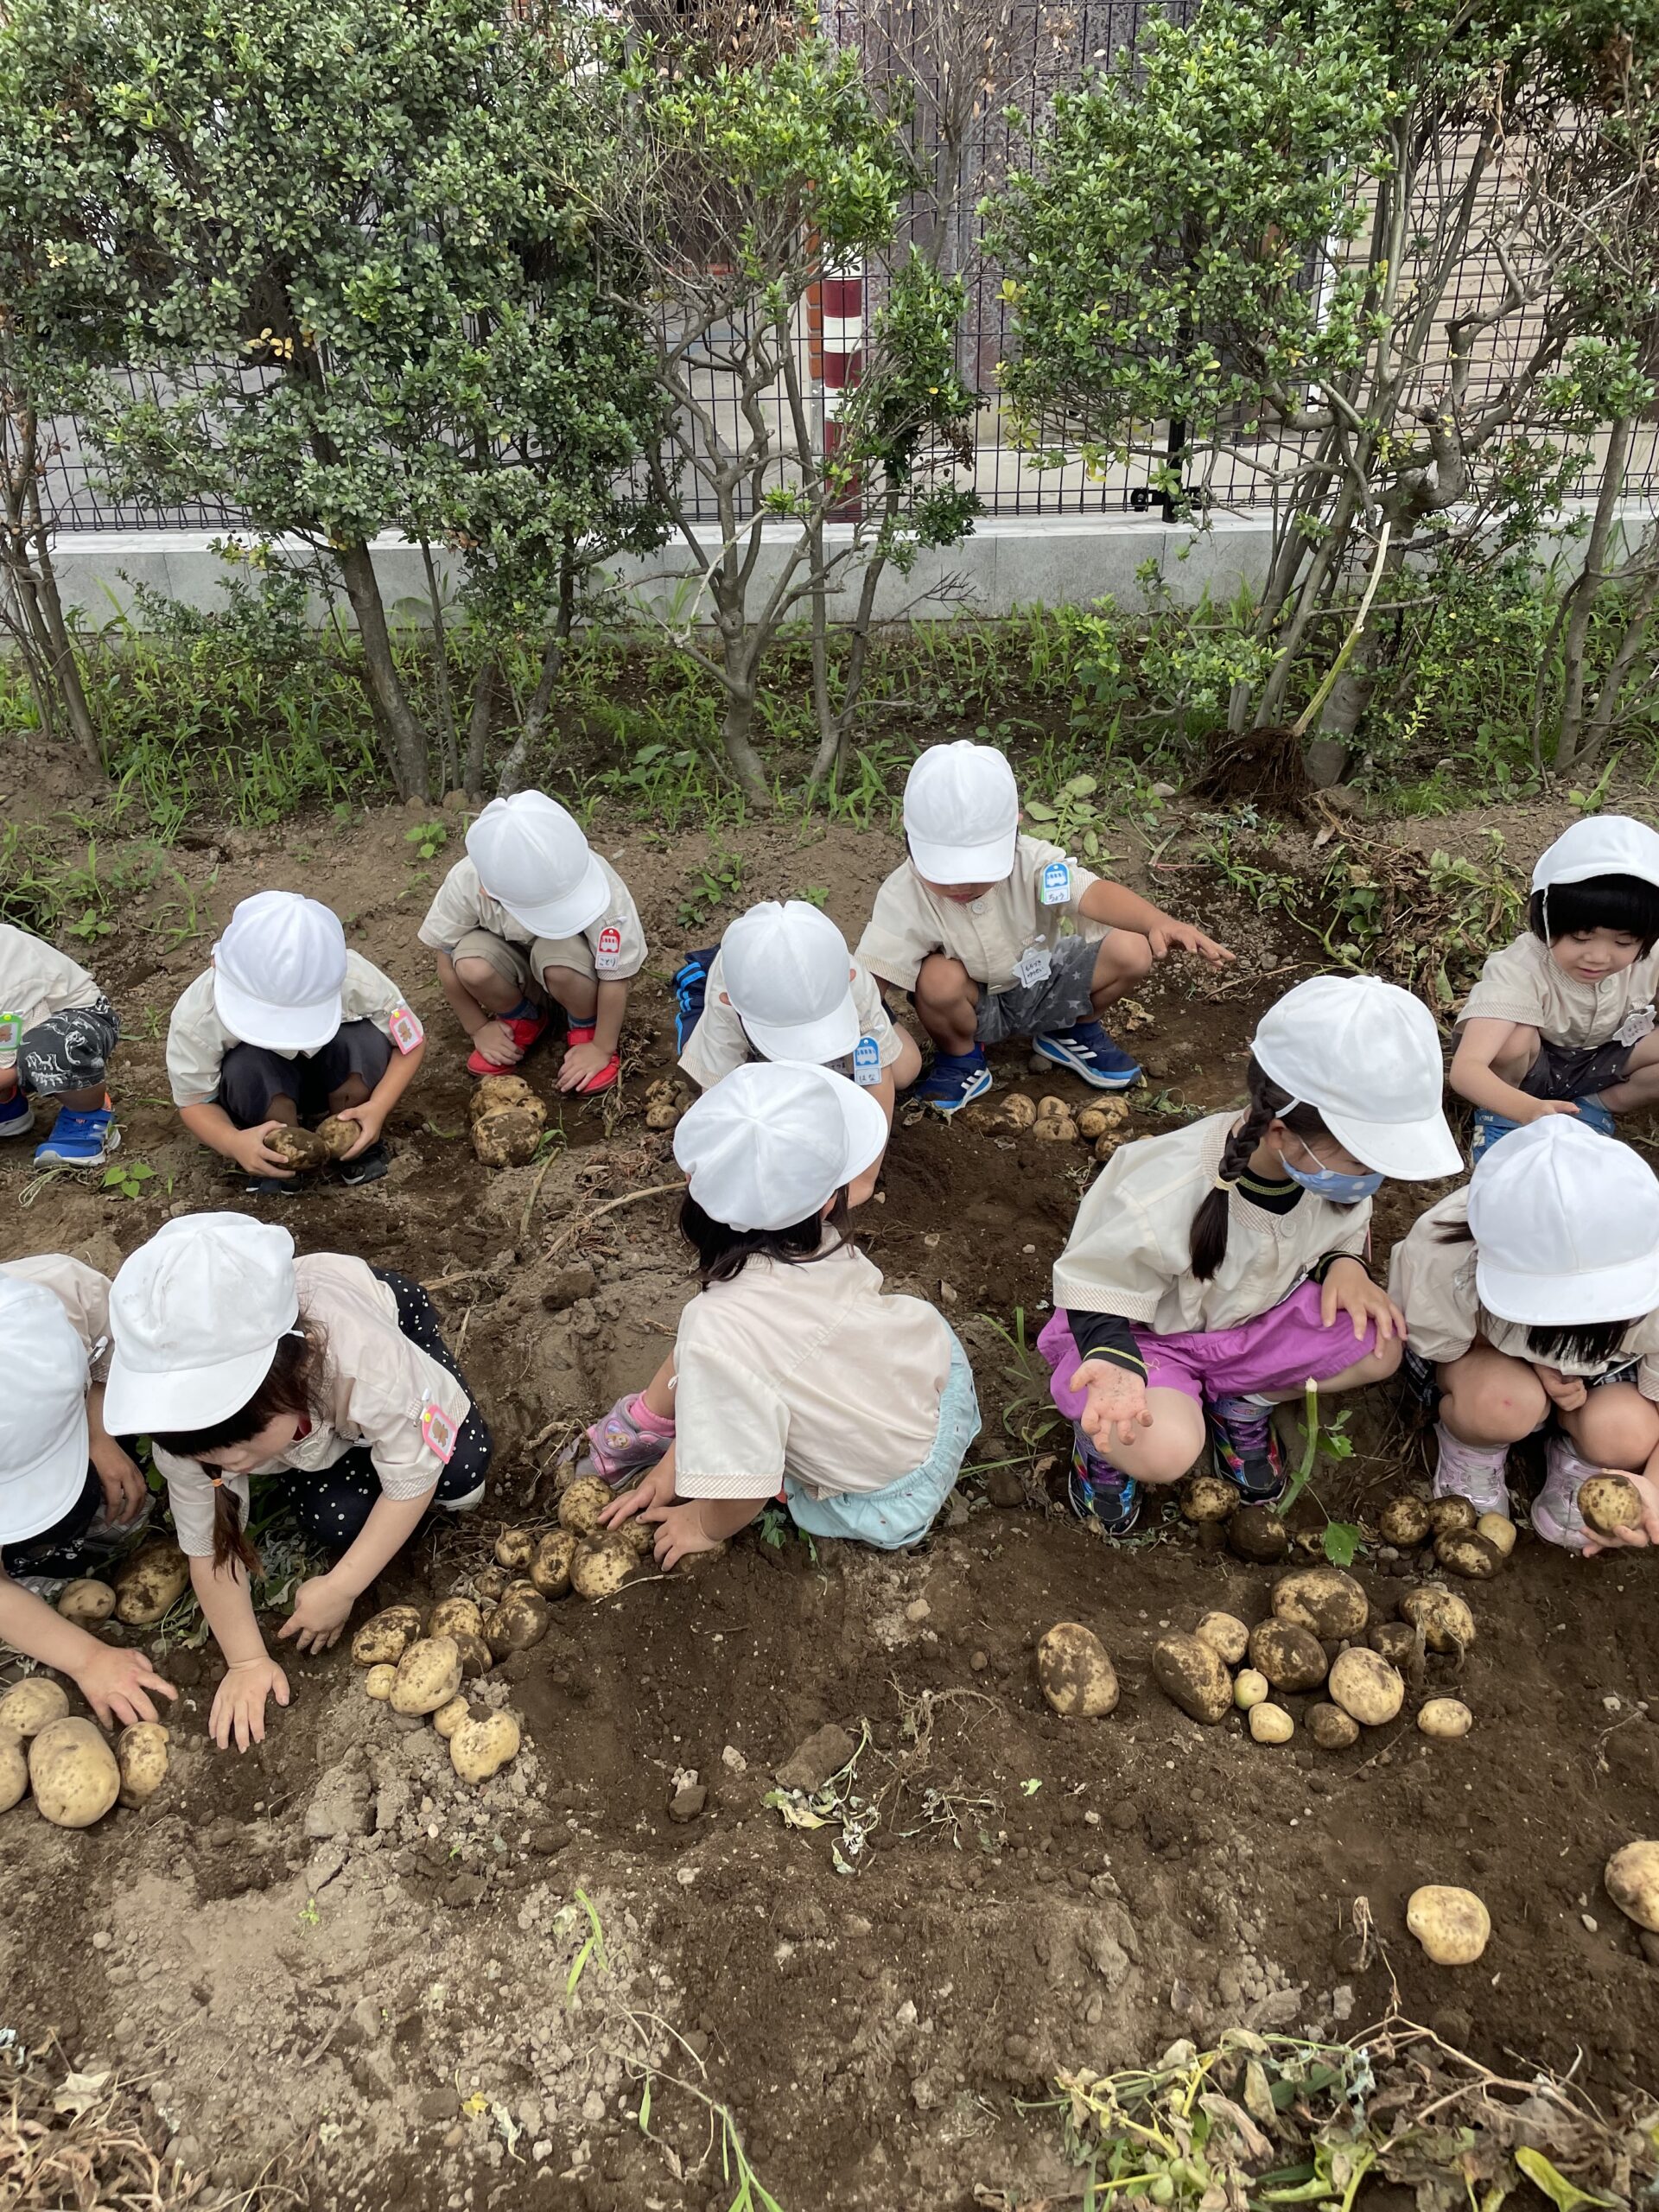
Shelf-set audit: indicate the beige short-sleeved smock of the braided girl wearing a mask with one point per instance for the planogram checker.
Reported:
(1131, 1244)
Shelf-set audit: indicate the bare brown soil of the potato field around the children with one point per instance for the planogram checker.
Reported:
(331, 1965)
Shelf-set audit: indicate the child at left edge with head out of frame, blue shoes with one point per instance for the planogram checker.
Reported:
(56, 1039)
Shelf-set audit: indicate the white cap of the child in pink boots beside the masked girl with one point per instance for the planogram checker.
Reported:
(1565, 1224)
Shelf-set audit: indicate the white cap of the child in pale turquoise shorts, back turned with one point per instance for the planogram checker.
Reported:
(775, 1142)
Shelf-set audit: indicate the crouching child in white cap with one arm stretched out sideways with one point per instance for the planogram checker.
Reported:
(1001, 937)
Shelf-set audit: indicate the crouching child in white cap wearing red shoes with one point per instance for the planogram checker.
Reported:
(530, 919)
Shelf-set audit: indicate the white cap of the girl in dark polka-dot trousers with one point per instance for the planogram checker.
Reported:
(198, 1315)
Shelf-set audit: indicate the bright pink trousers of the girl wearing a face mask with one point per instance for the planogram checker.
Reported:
(1273, 1355)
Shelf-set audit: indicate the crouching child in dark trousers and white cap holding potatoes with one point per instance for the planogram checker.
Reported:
(282, 1030)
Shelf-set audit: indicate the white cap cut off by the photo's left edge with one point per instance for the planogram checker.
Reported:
(43, 1412)
